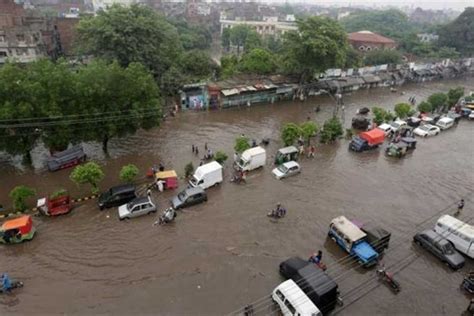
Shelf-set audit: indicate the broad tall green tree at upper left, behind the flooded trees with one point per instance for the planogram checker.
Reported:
(130, 34)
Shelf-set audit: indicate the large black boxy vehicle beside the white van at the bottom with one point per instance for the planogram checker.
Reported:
(315, 283)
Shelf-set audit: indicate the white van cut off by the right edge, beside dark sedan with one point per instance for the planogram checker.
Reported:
(460, 234)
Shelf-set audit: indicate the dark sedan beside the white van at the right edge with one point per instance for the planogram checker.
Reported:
(440, 247)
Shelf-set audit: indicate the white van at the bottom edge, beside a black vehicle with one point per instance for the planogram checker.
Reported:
(293, 301)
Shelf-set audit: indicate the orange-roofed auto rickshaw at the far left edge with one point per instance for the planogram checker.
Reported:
(17, 230)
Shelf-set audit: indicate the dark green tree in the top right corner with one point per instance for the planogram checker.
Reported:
(459, 34)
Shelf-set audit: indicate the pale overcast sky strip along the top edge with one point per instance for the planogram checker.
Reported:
(425, 4)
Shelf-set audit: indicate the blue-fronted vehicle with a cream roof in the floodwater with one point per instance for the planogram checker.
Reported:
(353, 240)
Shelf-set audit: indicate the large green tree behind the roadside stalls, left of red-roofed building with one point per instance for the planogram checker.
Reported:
(320, 43)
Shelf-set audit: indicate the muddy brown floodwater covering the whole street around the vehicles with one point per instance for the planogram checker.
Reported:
(223, 254)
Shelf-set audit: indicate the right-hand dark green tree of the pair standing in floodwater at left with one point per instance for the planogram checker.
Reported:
(130, 94)
